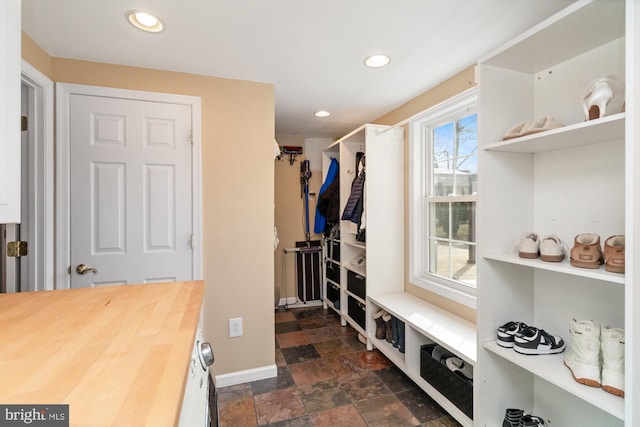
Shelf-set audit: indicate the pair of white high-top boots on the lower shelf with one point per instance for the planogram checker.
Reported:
(596, 355)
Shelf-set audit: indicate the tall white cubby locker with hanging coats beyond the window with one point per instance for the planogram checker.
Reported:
(383, 248)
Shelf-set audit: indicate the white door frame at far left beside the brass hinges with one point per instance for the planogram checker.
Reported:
(41, 165)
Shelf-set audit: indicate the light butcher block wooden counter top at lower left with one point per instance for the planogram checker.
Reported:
(118, 355)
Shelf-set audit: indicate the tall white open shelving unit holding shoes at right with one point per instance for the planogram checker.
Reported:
(571, 180)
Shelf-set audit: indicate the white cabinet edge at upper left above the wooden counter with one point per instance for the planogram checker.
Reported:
(10, 111)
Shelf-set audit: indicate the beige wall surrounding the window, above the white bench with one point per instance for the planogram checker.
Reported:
(454, 85)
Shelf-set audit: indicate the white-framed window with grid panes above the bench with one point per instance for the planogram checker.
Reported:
(443, 195)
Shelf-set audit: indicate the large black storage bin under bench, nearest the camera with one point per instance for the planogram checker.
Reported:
(456, 389)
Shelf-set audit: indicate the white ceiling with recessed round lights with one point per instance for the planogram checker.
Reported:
(312, 51)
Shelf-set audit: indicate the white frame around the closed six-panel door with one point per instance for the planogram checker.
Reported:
(63, 215)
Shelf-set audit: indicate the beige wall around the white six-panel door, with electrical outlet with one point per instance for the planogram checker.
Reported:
(237, 192)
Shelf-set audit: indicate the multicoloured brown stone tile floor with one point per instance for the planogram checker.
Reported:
(326, 377)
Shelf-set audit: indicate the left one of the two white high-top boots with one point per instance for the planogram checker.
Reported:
(583, 355)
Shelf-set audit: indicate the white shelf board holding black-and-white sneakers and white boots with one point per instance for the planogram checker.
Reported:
(552, 369)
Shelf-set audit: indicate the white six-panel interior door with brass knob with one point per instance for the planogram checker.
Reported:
(130, 191)
